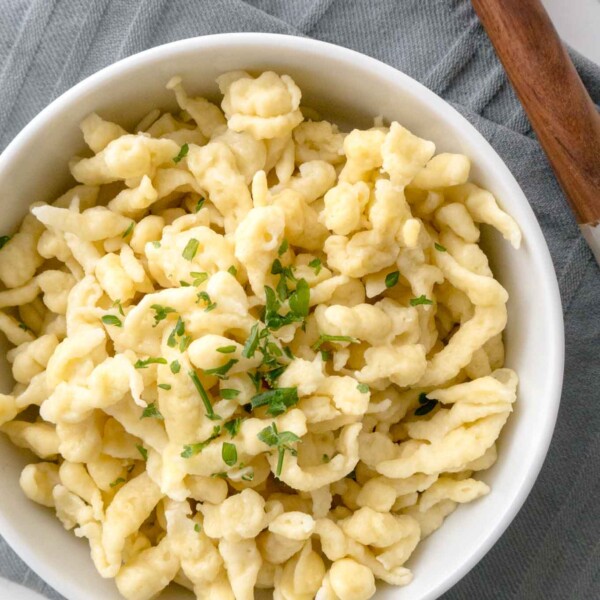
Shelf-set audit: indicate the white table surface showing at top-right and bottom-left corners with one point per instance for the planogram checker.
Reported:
(578, 23)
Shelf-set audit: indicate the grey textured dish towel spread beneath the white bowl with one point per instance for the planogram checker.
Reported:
(552, 549)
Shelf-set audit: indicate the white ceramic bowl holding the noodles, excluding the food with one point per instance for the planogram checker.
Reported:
(351, 89)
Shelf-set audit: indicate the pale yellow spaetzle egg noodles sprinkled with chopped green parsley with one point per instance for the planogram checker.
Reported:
(252, 351)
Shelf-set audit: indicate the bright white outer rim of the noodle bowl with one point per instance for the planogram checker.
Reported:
(539, 248)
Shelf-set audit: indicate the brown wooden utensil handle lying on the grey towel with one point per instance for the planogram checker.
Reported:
(561, 112)
